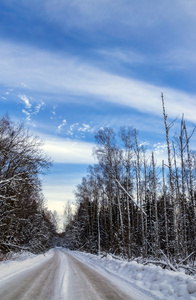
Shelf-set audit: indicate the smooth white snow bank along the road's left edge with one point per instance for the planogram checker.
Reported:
(20, 262)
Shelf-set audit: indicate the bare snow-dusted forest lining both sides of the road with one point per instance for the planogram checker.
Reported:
(127, 205)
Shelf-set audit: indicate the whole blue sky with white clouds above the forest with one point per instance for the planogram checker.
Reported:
(69, 68)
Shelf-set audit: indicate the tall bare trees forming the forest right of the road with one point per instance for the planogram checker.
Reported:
(128, 205)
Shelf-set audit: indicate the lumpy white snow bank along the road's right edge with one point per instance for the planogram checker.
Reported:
(161, 283)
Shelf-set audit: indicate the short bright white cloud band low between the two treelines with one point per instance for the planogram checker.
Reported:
(63, 151)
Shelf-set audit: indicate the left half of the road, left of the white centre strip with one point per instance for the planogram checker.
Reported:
(34, 282)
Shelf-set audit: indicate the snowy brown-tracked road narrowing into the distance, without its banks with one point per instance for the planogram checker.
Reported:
(61, 276)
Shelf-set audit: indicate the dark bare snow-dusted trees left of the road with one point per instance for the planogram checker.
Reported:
(24, 221)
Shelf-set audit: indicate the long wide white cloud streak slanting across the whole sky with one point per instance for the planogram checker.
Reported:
(45, 72)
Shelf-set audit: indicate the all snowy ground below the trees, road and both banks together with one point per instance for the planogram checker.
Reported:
(62, 274)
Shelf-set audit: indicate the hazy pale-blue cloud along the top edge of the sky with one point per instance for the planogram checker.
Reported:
(122, 14)
